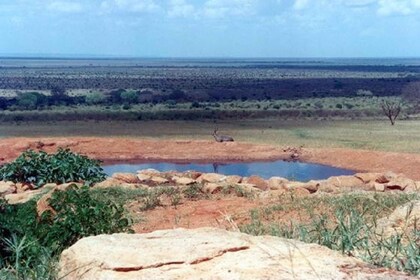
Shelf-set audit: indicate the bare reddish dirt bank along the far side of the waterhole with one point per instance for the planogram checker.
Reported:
(130, 149)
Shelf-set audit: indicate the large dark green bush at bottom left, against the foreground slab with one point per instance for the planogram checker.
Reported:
(29, 245)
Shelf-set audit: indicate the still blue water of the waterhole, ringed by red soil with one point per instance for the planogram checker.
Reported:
(298, 171)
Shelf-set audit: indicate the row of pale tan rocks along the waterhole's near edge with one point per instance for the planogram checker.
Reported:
(213, 183)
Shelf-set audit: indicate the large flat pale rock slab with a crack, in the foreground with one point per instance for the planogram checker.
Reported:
(208, 253)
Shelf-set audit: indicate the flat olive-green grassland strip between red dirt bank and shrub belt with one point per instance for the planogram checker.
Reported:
(376, 135)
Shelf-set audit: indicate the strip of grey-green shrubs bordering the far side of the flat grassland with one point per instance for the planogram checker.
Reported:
(312, 109)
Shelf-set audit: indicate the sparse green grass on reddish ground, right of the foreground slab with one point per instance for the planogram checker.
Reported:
(344, 223)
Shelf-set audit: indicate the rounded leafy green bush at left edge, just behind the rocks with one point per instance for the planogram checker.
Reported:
(39, 168)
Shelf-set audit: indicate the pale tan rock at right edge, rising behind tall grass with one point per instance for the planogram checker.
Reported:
(401, 221)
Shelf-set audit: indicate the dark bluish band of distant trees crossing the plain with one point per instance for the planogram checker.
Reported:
(221, 89)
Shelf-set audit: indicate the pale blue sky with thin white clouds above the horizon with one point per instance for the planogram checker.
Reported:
(211, 28)
